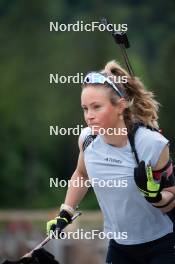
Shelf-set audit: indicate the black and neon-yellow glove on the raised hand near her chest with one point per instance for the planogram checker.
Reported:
(146, 184)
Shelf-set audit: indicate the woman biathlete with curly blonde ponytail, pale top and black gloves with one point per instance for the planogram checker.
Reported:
(139, 207)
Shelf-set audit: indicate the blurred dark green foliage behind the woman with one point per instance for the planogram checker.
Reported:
(29, 52)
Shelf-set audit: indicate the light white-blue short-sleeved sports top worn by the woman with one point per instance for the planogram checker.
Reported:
(128, 217)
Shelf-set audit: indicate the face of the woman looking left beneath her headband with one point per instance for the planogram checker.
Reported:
(98, 110)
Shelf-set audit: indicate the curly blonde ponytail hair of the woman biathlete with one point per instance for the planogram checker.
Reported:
(142, 107)
